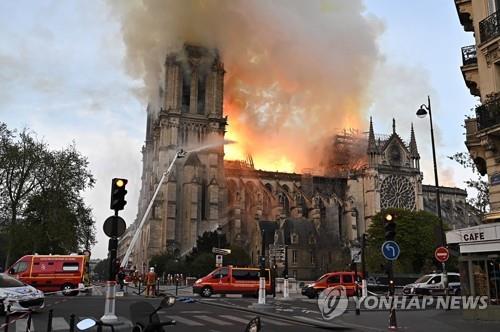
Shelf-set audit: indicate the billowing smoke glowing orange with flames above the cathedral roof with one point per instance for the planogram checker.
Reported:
(296, 70)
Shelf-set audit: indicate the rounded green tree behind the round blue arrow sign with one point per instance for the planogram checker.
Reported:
(417, 234)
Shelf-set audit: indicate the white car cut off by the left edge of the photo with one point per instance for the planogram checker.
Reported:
(16, 296)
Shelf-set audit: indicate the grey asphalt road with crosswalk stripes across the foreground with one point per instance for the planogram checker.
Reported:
(232, 314)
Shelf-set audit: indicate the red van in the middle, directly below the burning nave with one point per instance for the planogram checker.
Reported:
(231, 280)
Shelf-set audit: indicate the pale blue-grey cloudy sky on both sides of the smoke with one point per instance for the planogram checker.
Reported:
(62, 75)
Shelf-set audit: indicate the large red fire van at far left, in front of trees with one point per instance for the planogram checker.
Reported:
(51, 273)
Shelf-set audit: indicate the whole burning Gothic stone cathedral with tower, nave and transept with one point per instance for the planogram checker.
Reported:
(316, 216)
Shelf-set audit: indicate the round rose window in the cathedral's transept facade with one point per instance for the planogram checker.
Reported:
(397, 191)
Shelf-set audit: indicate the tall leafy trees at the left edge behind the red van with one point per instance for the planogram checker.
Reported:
(41, 197)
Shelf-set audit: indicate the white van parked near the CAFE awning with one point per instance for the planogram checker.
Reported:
(433, 284)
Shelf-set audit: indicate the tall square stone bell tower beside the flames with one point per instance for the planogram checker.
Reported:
(190, 118)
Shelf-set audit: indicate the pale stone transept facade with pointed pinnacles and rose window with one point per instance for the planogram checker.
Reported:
(392, 178)
